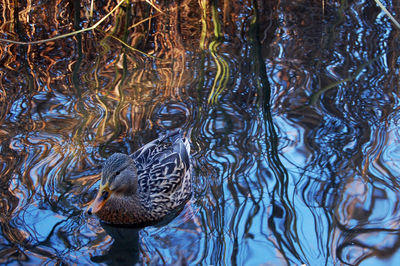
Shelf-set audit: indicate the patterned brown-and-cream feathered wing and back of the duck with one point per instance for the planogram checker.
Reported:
(164, 170)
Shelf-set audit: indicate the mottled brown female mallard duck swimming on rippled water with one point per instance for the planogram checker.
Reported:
(145, 186)
